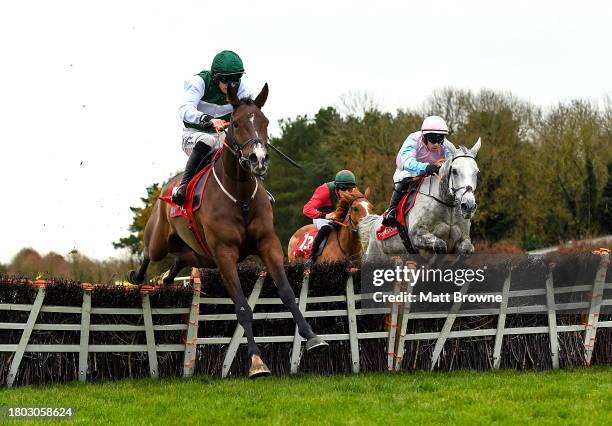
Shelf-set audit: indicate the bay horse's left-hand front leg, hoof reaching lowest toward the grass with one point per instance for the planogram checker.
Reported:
(227, 260)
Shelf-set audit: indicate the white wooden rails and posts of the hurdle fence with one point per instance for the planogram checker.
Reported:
(396, 335)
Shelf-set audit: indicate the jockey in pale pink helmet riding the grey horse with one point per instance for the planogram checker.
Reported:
(422, 153)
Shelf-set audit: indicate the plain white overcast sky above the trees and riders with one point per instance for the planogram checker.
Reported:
(89, 91)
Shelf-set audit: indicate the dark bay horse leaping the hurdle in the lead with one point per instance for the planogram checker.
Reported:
(236, 221)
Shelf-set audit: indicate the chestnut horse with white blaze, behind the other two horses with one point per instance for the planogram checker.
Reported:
(343, 243)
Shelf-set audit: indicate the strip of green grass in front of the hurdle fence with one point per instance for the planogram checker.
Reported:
(578, 396)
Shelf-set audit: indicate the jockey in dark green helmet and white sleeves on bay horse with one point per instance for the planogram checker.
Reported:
(204, 111)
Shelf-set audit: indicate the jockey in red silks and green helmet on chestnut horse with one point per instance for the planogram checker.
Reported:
(320, 208)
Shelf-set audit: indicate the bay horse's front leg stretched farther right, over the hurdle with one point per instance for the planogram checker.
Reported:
(271, 254)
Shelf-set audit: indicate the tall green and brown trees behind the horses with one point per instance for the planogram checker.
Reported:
(546, 173)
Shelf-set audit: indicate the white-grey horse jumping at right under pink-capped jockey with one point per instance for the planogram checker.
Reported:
(439, 221)
